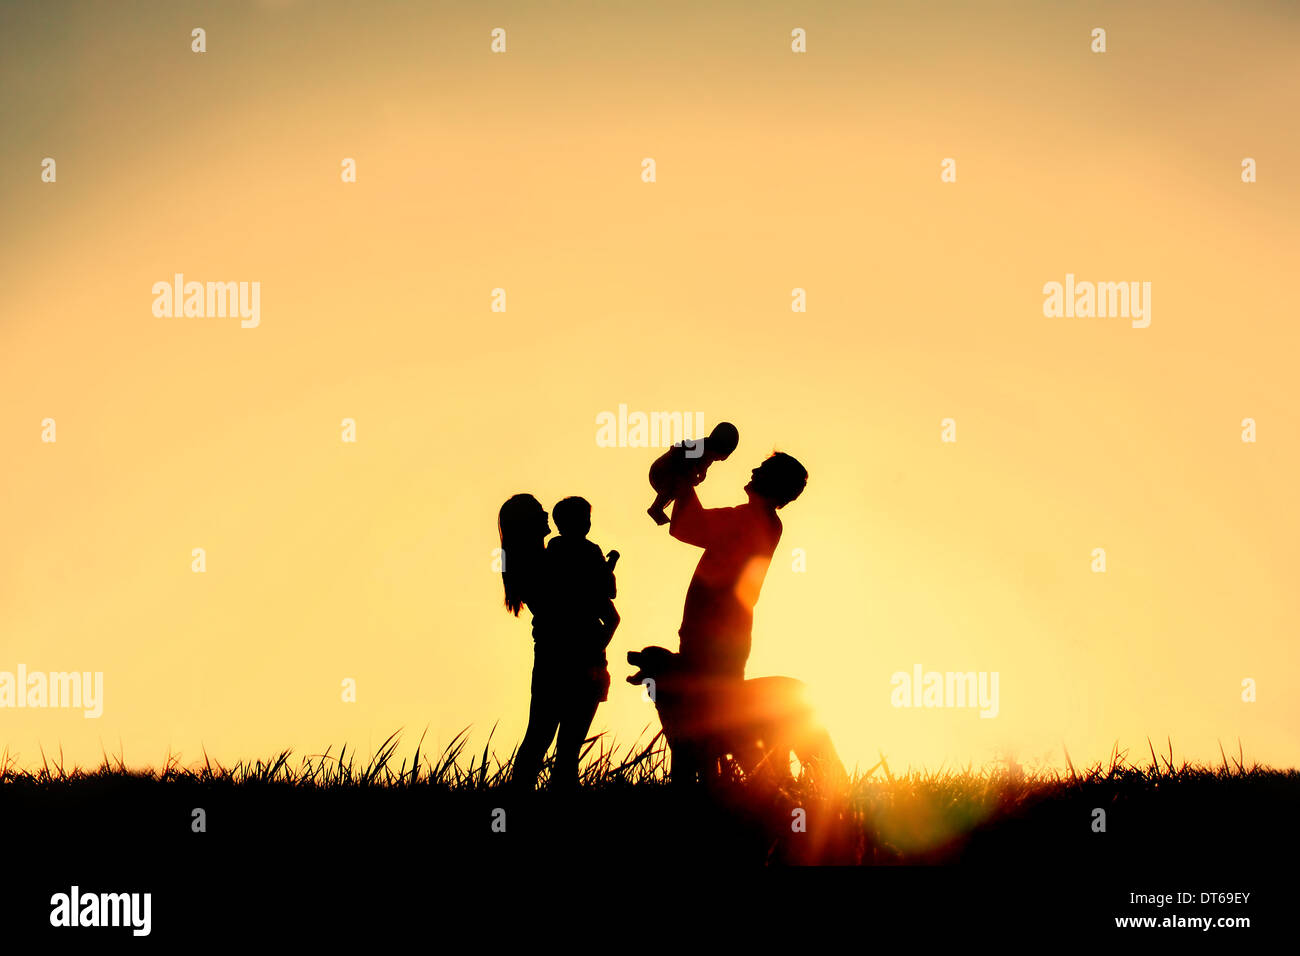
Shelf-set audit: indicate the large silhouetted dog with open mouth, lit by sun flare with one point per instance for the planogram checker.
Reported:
(760, 723)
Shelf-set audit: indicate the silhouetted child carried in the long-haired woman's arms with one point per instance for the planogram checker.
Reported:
(583, 616)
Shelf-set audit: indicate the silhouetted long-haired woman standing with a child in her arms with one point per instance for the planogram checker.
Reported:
(562, 691)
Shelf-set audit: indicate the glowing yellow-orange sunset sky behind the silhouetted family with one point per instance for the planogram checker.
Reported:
(522, 171)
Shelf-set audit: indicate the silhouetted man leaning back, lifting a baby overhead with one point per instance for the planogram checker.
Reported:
(718, 618)
